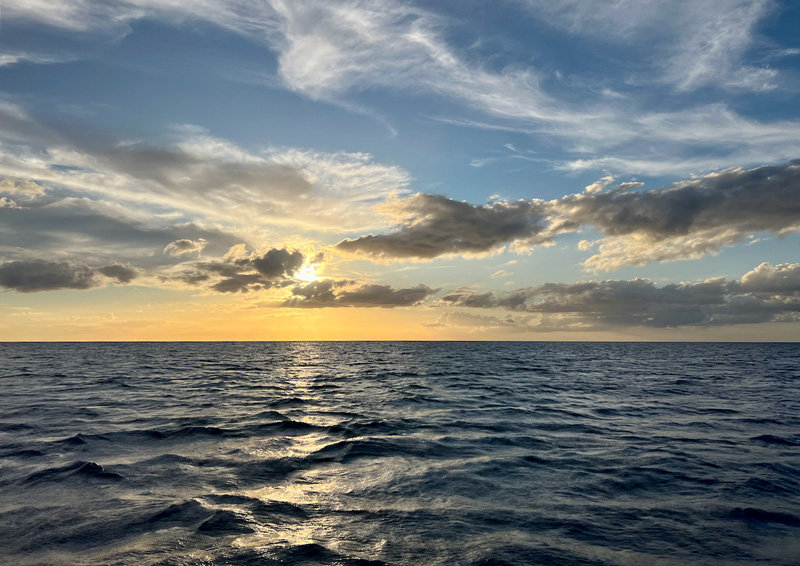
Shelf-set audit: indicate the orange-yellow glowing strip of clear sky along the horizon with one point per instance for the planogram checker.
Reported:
(211, 319)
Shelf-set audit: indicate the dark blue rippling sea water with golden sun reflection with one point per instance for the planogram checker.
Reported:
(400, 453)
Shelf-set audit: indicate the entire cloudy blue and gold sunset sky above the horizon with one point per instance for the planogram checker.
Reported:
(400, 170)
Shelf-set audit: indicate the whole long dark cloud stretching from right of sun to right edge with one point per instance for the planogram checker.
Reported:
(686, 220)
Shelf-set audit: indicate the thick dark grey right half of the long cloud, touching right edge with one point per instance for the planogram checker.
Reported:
(688, 219)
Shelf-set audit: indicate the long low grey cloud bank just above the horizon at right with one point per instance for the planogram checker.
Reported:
(766, 294)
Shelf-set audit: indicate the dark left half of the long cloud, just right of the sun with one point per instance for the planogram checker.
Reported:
(433, 226)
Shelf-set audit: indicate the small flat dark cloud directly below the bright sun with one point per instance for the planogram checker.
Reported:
(330, 293)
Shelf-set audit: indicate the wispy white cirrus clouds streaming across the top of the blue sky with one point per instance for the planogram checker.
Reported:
(334, 50)
